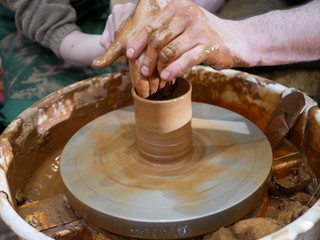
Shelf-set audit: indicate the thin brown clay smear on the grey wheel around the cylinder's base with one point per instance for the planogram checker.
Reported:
(182, 178)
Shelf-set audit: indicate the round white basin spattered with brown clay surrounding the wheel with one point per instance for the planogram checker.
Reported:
(31, 145)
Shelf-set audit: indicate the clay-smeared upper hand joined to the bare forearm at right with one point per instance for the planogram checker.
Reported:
(183, 35)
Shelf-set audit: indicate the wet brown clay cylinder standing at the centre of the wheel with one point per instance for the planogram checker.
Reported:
(163, 127)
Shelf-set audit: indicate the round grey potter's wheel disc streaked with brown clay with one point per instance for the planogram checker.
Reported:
(111, 186)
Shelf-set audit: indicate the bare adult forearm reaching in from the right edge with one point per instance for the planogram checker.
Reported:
(282, 37)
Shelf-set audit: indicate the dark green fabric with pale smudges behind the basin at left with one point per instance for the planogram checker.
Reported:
(31, 71)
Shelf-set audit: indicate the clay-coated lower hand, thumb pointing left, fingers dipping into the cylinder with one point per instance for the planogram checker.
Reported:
(144, 12)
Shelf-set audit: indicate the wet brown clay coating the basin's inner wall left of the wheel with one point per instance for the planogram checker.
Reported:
(36, 173)
